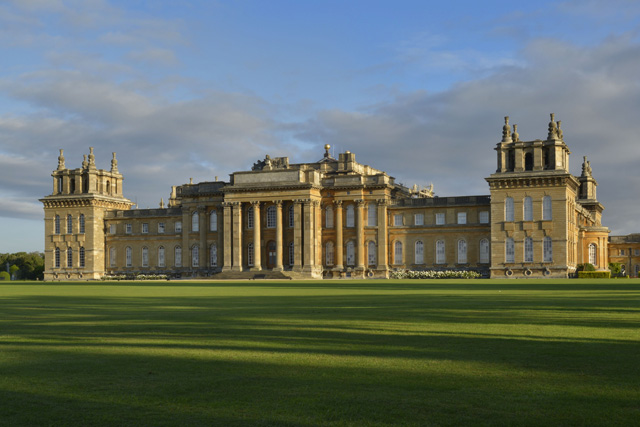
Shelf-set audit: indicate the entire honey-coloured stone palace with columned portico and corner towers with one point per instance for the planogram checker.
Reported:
(332, 218)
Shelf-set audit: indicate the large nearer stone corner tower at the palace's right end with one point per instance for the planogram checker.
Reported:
(534, 225)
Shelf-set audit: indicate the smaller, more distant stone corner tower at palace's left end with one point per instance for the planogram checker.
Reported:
(74, 218)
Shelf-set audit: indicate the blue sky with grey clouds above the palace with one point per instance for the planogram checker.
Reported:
(183, 89)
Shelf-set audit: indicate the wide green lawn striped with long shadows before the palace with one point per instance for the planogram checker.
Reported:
(310, 353)
